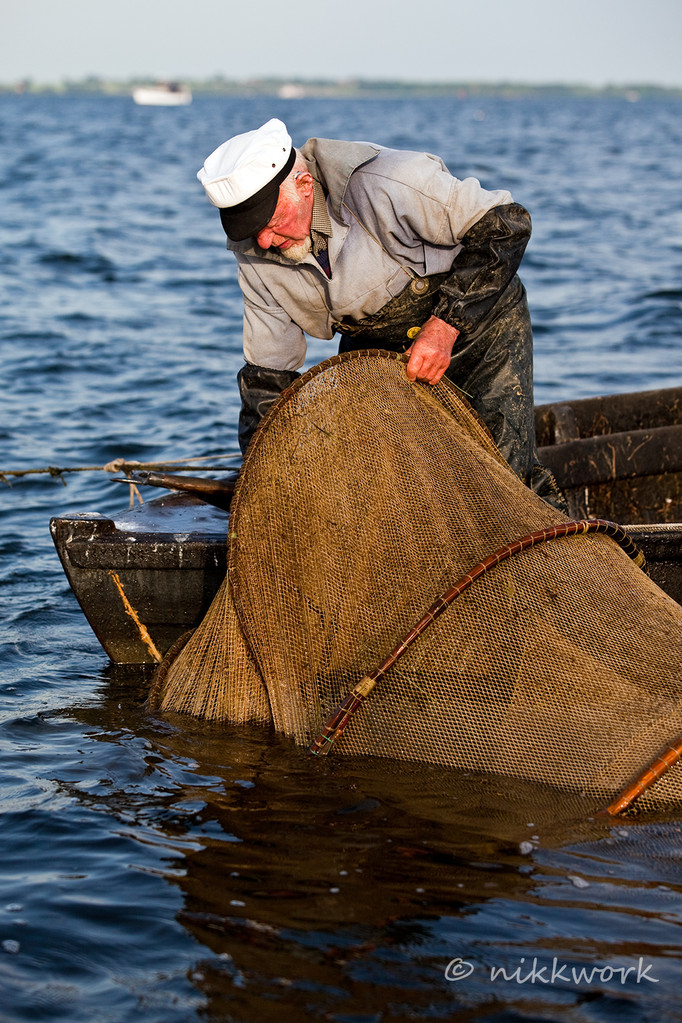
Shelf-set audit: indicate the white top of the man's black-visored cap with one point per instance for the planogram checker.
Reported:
(243, 166)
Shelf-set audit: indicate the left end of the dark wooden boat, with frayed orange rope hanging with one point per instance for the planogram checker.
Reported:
(147, 579)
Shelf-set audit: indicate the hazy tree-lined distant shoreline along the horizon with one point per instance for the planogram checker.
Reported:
(354, 88)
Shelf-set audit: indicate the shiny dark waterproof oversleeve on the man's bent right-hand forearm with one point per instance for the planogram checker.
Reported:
(491, 253)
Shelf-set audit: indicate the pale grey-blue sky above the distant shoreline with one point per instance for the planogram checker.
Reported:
(593, 42)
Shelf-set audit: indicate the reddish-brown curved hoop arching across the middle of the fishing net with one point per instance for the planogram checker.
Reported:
(342, 716)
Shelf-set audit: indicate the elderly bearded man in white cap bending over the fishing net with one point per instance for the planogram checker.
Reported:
(391, 251)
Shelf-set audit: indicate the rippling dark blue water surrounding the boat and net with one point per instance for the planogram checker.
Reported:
(163, 871)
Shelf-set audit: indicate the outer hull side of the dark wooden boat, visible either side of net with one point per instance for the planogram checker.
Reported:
(141, 593)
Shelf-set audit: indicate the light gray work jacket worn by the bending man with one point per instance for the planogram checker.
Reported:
(394, 214)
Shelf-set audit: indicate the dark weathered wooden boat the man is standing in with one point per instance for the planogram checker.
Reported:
(146, 577)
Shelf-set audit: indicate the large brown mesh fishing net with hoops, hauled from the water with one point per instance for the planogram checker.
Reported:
(365, 499)
